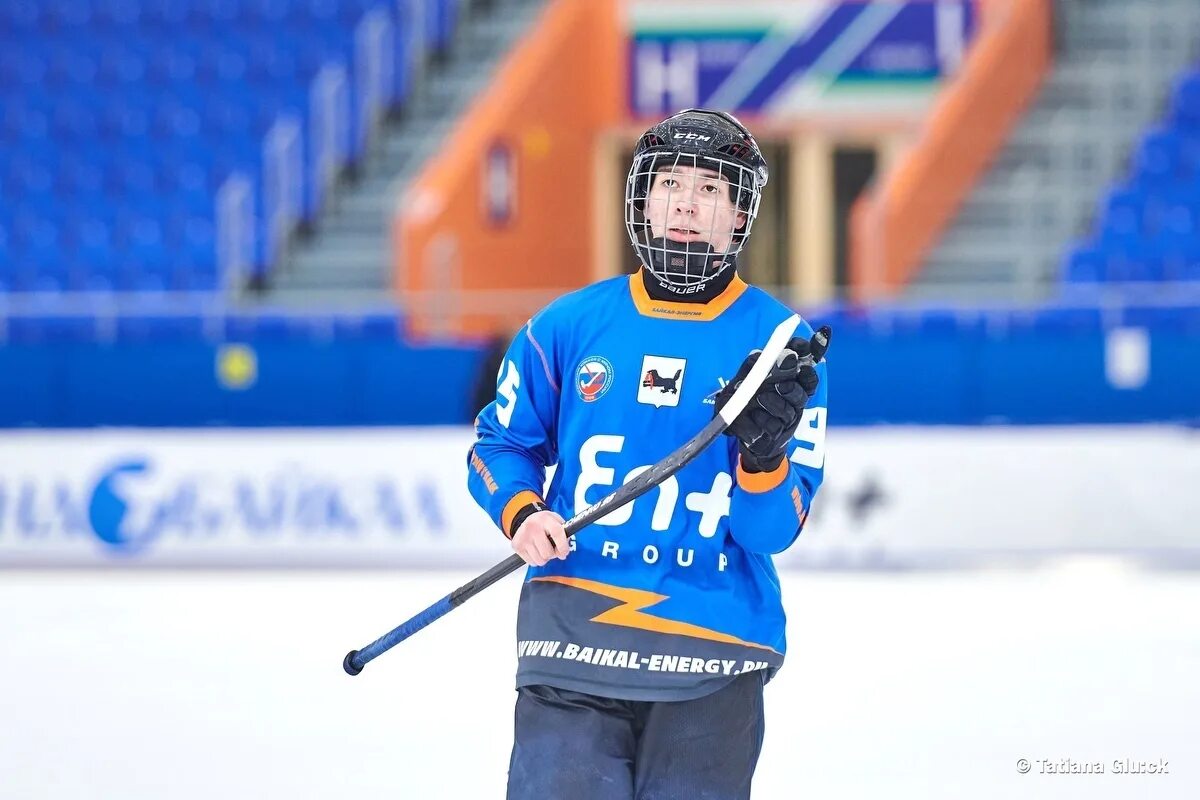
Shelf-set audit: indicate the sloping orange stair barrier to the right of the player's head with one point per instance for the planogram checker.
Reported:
(895, 226)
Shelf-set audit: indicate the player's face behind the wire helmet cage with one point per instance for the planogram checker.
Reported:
(689, 204)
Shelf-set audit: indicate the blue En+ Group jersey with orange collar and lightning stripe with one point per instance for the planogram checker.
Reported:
(675, 594)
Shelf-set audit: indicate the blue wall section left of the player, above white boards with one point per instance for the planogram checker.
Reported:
(176, 384)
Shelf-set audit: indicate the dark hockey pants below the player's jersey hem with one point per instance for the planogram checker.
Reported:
(575, 747)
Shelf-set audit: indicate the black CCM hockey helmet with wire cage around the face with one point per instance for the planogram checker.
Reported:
(703, 140)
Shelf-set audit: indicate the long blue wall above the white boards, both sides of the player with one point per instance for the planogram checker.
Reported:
(908, 371)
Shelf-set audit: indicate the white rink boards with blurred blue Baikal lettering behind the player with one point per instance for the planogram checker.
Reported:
(893, 498)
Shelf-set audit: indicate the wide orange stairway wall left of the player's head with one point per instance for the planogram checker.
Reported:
(508, 206)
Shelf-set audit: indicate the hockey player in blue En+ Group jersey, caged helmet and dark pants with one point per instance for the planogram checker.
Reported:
(645, 642)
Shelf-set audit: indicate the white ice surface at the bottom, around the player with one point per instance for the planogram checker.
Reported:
(181, 685)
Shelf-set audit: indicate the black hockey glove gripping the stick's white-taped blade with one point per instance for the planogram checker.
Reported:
(772, 416)
